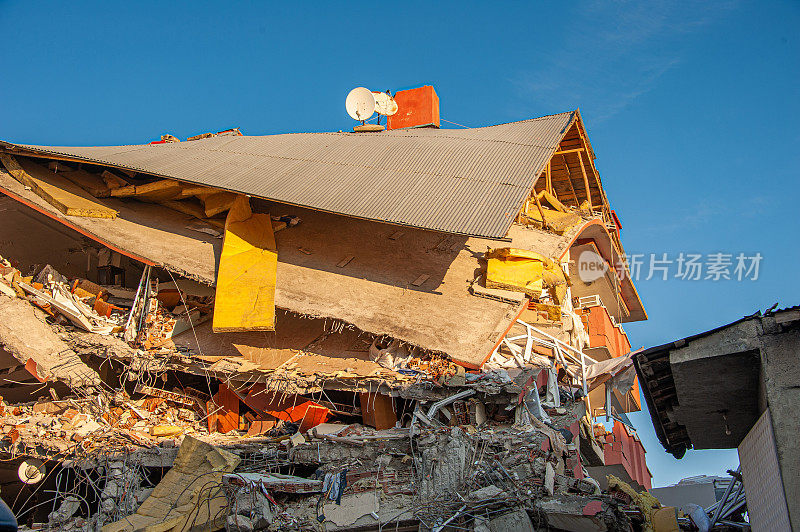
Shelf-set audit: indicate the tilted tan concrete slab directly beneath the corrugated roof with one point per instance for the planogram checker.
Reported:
(374, 291)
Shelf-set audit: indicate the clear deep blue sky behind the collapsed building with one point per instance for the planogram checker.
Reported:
(692, 109)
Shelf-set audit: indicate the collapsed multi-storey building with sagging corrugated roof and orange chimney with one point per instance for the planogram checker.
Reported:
(348, 330)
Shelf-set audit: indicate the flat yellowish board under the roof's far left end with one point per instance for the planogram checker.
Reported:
(55, 189)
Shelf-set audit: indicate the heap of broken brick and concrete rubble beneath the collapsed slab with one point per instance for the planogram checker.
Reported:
(468, 449)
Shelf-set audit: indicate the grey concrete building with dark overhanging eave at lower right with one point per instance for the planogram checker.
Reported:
(735, 387)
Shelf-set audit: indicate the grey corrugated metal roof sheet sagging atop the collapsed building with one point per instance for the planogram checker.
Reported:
(469, 181)
